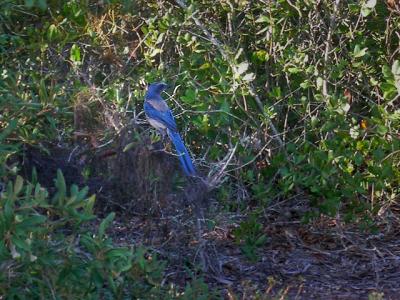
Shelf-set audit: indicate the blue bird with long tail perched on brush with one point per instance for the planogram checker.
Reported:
(160, 117)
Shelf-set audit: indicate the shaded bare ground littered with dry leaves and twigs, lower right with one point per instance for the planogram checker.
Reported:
(298, 261)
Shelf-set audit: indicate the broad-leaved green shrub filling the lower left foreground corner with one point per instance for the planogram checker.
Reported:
(47, 247)
